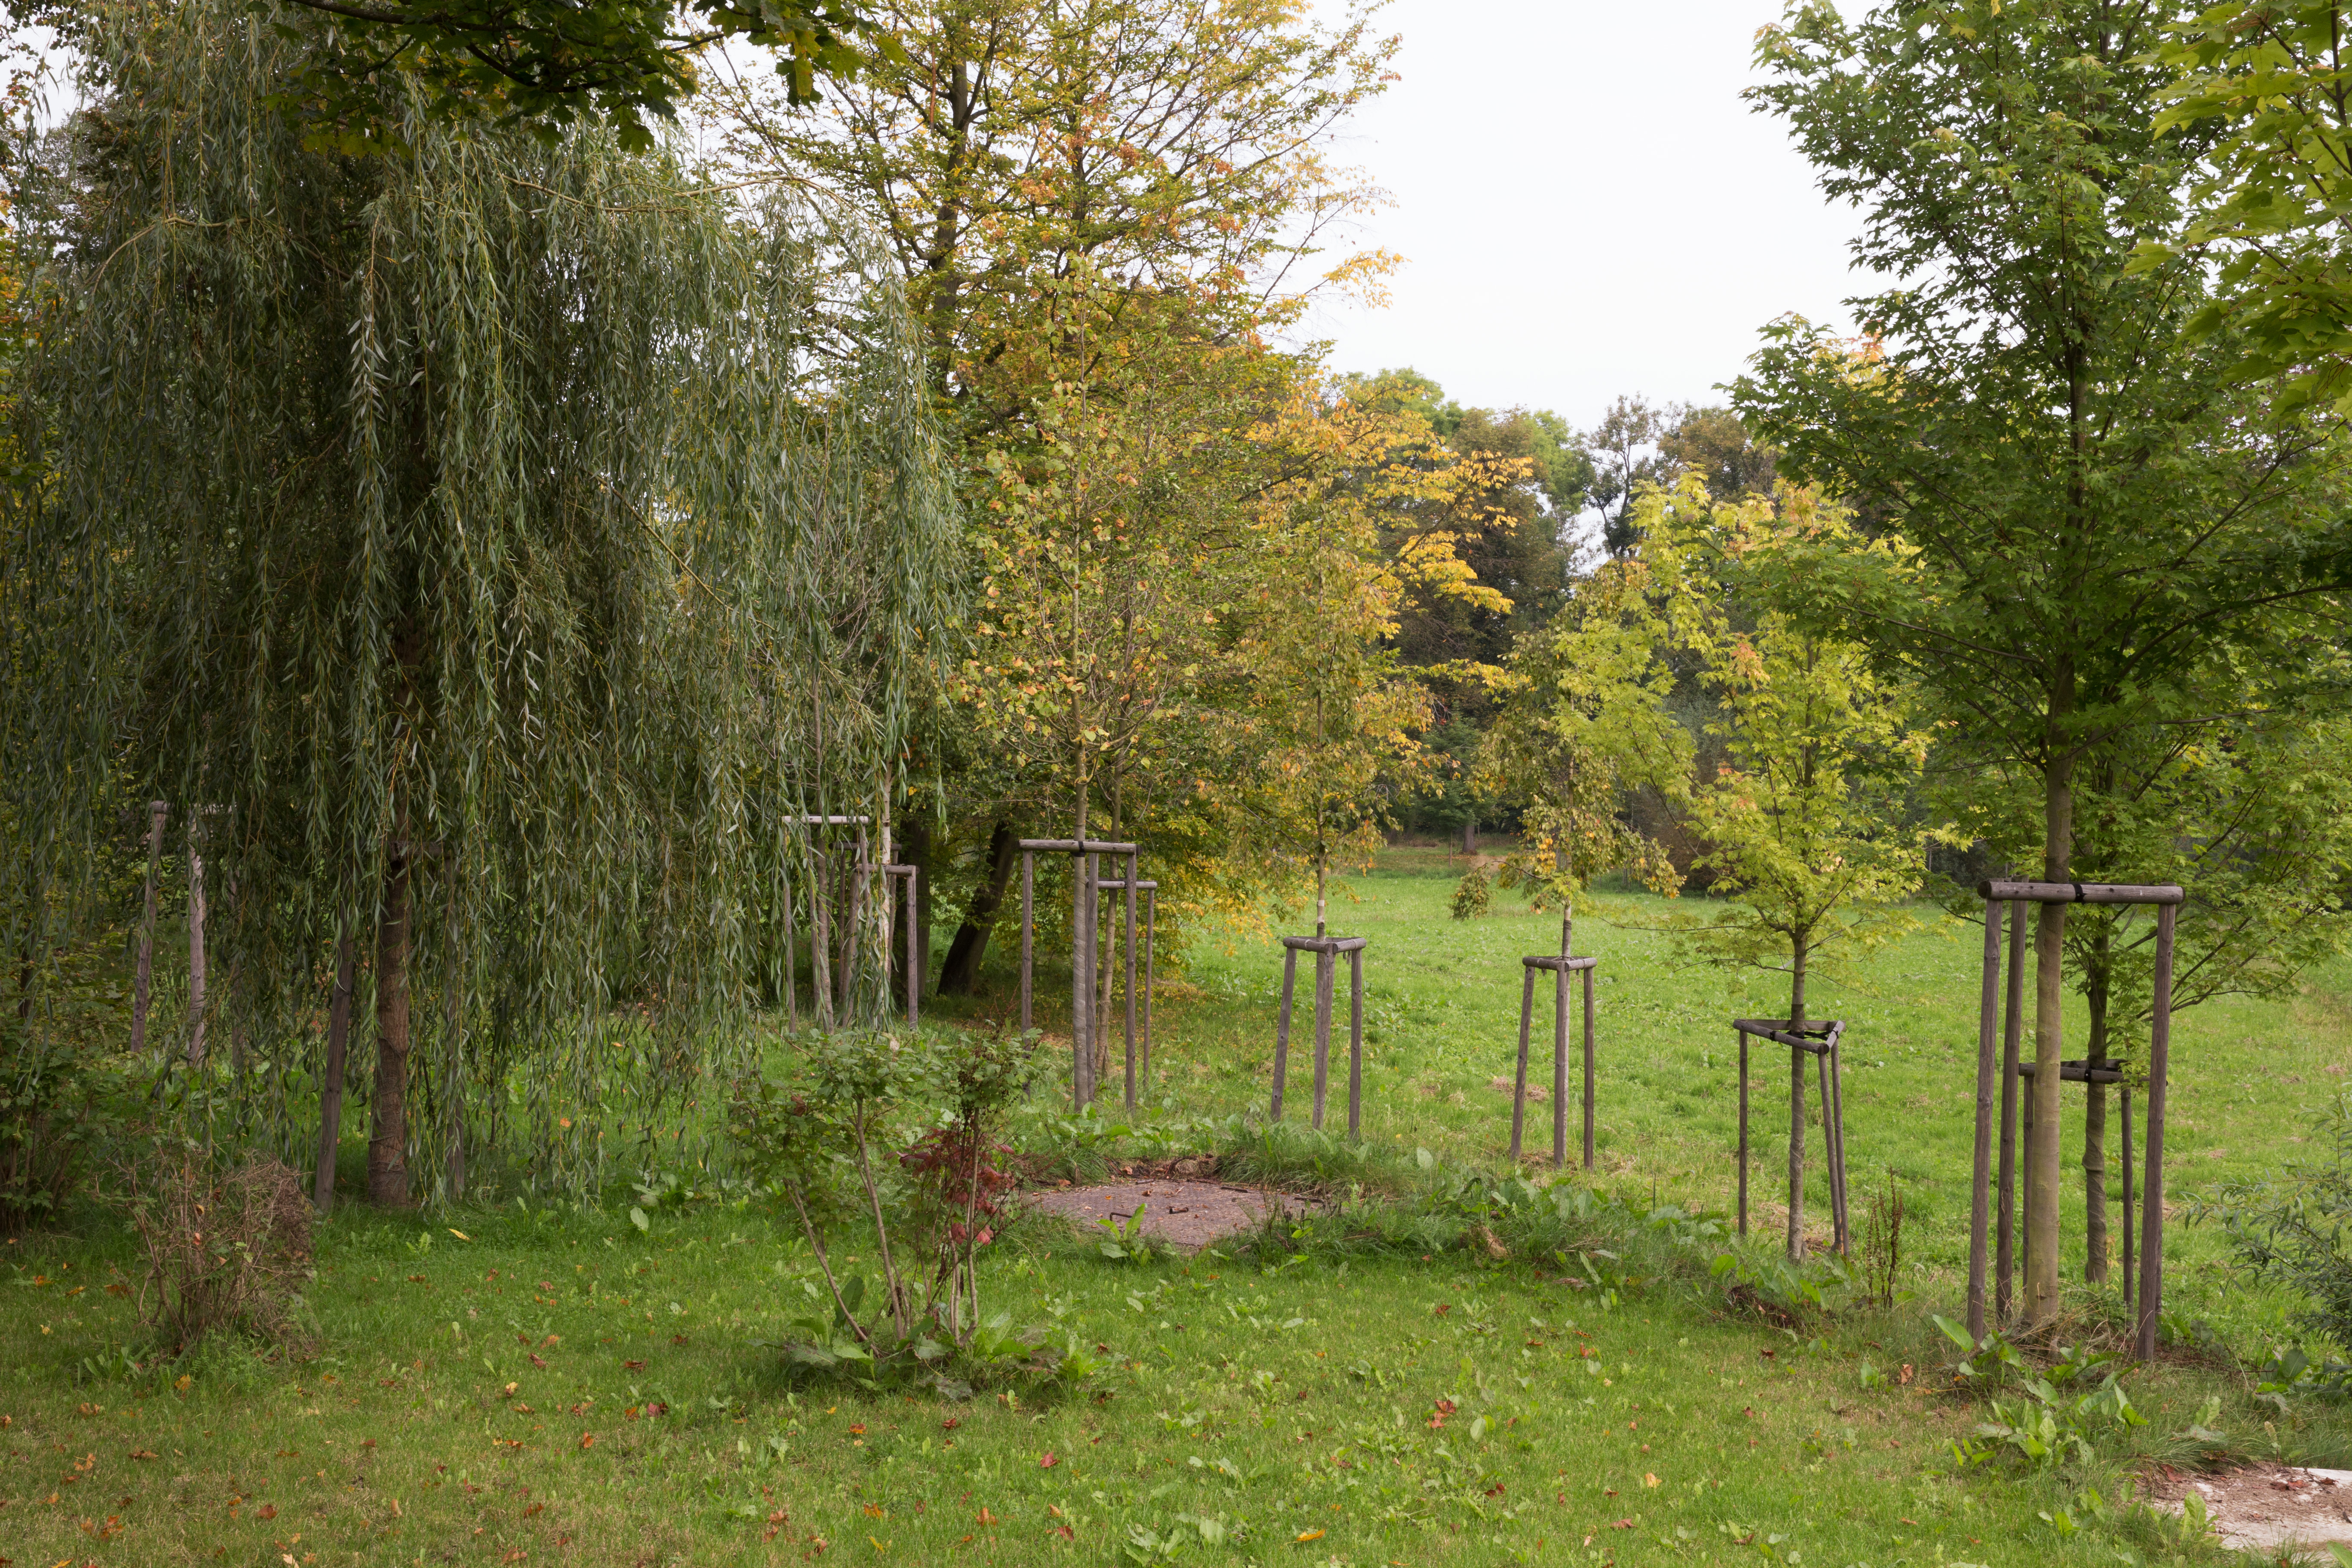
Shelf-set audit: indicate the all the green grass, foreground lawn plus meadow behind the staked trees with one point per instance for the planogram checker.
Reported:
(561, 1386)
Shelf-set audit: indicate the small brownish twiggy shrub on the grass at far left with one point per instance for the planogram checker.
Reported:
(225, 1252)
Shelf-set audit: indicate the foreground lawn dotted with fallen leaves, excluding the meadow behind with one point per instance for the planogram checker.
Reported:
(559, 1388)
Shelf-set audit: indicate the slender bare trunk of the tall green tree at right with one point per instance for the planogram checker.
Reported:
(2040, 1287)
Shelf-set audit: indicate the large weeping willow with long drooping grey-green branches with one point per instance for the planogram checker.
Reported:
(493, 556)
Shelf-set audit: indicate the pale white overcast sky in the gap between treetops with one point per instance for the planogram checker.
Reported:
(1584, 206)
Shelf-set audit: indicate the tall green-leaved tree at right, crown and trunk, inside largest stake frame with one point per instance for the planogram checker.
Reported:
(2090, 507)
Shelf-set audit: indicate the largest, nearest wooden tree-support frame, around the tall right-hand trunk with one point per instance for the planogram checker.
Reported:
(2012, 1073)
